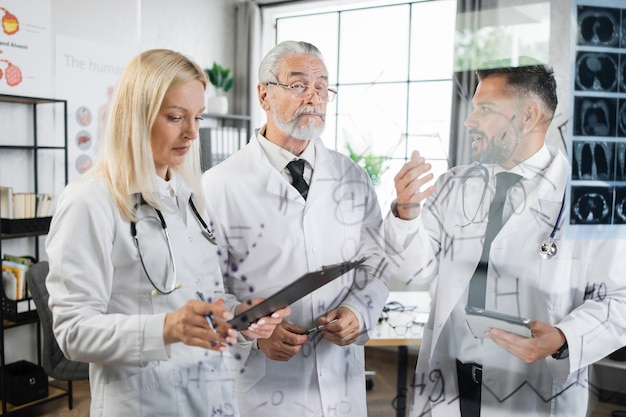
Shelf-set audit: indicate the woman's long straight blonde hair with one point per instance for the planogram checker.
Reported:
(126, 159)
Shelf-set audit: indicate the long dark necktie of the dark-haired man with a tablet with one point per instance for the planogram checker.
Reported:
(478, 284)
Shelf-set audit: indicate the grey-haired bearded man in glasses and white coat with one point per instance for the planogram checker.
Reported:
(275, 234)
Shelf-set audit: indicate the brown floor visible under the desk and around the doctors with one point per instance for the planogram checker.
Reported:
(380, 398)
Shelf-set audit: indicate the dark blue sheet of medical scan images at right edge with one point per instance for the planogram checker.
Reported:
(598, 122)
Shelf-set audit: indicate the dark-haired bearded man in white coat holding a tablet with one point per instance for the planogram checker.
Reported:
(437, 233)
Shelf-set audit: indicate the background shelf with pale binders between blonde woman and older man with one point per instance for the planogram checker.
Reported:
(221, 135)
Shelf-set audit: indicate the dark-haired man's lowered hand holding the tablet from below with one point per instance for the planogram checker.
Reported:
(545, 341)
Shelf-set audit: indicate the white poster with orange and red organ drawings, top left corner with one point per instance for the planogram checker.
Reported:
(25, 48)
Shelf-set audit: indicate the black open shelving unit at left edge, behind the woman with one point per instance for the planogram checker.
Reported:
(33, 159)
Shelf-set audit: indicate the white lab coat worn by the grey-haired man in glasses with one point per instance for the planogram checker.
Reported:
(273, 238)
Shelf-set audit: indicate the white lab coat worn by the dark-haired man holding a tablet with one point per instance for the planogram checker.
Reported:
(550, 290)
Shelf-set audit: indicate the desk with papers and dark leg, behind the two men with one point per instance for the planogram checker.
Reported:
(418, 305)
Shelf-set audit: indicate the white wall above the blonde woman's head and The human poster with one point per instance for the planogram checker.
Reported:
(202, 29)
